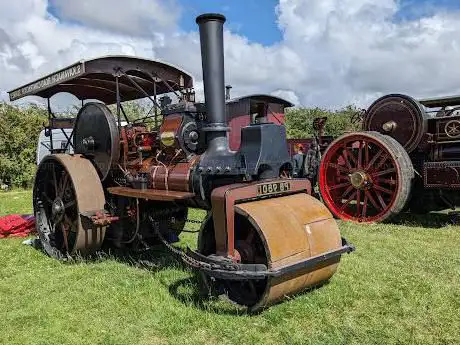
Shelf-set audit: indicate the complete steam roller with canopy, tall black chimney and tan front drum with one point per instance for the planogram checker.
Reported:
(264, 236)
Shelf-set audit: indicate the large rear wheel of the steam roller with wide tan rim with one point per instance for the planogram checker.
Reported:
(65, 188)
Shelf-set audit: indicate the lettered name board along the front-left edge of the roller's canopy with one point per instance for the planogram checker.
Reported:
(46, 82)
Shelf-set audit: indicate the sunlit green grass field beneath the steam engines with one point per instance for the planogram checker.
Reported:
(401, 286)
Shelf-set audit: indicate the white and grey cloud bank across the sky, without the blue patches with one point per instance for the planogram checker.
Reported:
(333, 52)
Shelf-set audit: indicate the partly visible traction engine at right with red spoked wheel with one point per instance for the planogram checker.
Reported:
(406, 158)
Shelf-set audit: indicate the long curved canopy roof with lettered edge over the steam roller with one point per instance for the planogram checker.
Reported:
(95, 79)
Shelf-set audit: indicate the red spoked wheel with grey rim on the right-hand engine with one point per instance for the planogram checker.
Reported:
(365, 177)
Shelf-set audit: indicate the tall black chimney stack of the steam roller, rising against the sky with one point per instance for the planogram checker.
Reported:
(212, 60)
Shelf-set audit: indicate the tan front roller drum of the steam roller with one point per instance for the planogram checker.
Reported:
(278, 233)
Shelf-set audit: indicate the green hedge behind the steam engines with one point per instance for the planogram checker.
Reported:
(21, 126)
